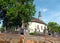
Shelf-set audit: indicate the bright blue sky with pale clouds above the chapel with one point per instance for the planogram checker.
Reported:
(50, 10)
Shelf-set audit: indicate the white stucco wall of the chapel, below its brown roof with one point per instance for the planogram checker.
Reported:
(33, 25)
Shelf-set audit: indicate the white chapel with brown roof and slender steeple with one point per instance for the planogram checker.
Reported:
(37, 25)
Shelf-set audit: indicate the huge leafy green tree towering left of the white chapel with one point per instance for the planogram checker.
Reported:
(17, 12)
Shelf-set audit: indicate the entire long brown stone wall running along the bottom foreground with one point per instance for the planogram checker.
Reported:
(16, 38)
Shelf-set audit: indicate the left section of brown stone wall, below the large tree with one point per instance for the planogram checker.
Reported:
(11, 38)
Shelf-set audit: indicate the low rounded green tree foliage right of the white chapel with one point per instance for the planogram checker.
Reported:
(53, 26)
